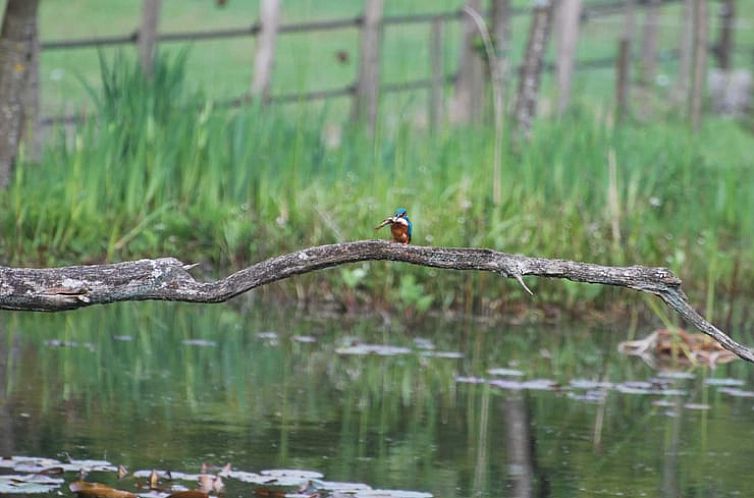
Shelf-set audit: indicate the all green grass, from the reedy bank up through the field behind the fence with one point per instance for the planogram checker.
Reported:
(166, 172)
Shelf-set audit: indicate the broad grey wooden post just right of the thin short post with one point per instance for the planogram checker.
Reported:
(467, 101)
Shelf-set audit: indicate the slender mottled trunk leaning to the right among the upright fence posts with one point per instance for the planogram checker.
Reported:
(531, 72)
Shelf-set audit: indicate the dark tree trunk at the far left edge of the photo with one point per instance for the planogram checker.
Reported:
(17, 40)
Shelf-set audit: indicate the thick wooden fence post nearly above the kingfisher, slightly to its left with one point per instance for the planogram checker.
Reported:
(366, 99)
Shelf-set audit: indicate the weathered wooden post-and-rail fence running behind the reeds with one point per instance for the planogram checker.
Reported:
(468, 81)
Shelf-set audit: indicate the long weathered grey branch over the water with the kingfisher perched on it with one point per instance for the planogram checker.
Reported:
(167, 279)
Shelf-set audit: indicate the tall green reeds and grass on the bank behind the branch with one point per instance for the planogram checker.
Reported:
(159, 175)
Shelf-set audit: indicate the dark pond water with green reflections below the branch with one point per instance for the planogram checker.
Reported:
(455, 409)
